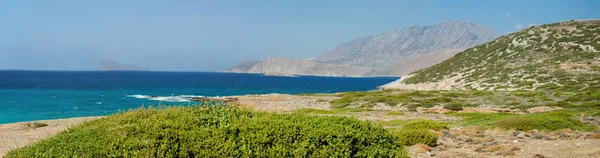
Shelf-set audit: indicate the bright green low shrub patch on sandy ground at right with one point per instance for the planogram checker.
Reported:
(550, 121)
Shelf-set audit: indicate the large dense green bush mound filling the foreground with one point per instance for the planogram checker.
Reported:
(202, 131)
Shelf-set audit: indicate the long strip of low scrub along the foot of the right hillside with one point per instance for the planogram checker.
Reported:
(457, 100)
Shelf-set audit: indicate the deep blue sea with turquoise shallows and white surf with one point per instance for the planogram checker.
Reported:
(41, 95)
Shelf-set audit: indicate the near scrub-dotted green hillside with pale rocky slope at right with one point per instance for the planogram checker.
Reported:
(558, 56)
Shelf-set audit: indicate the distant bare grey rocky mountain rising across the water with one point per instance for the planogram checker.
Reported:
(394, 53)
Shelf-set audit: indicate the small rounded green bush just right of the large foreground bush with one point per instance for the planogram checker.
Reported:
(411, 137)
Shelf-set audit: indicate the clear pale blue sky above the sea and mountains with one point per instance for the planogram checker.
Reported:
(197, 35)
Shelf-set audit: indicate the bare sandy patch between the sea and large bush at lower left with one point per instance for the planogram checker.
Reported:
(16, 135)
